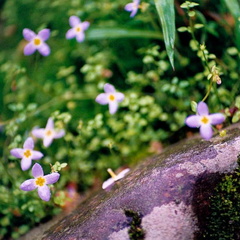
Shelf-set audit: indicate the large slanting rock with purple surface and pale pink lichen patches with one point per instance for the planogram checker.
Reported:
(165, 192)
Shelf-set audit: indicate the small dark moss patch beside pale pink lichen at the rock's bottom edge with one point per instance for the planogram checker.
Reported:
(136, 231)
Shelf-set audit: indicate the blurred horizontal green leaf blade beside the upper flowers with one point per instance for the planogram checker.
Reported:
(112, 33)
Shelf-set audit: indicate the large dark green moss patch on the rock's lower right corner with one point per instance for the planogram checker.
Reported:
(223, 220)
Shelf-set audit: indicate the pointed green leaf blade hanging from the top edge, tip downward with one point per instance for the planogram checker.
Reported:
(166, 14)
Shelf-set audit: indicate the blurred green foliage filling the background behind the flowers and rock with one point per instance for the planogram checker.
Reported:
(129, 53)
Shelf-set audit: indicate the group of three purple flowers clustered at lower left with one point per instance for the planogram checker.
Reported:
(27, 154)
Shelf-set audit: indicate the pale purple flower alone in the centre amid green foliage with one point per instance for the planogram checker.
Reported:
(110, 97)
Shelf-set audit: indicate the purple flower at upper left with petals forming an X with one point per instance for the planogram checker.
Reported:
(36, 41)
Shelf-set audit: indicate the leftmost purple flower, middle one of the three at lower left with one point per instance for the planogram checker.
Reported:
(27, 154)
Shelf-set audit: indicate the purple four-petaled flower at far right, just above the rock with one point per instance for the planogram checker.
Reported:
(204, 120)
